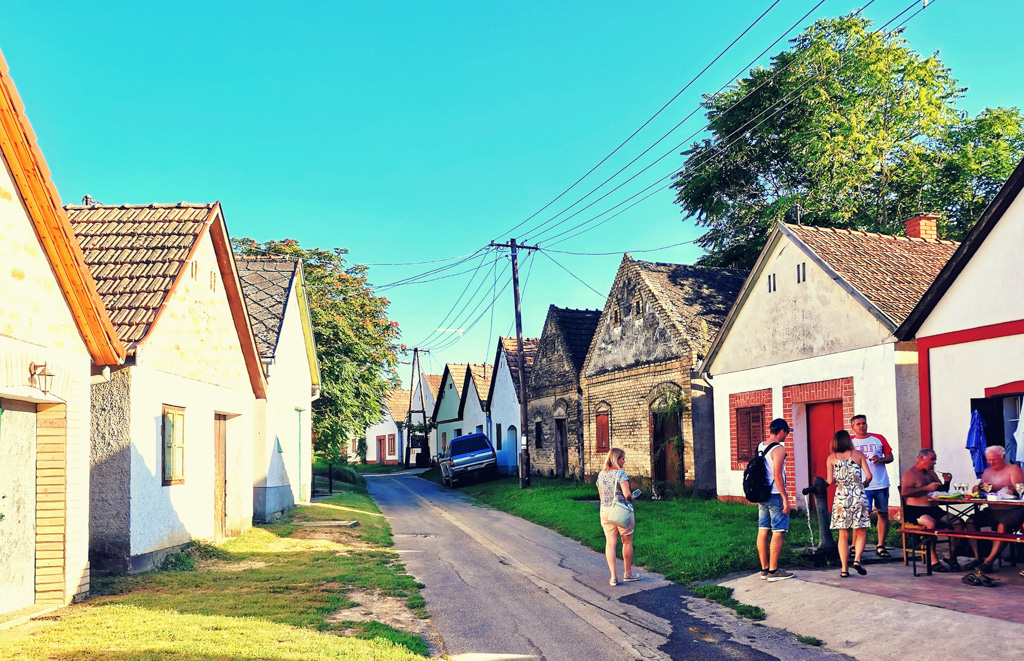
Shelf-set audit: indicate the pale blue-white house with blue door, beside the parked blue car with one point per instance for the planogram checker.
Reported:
(503, 404)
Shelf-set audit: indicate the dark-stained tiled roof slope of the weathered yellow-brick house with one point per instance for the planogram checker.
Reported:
(692, 294)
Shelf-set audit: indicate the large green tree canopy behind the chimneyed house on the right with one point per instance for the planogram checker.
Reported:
(849, 128)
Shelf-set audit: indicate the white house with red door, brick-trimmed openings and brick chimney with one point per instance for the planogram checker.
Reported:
(813, 338)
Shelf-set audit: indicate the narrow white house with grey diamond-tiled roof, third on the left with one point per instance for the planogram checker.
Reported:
(279, 313)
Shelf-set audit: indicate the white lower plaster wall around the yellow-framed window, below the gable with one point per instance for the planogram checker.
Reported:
(167, 516)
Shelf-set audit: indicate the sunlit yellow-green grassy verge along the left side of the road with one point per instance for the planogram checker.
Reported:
(273, 593)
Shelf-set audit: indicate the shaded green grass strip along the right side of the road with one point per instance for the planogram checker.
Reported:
(686, 540)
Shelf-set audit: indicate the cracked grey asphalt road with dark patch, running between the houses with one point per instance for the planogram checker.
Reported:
(500, 588)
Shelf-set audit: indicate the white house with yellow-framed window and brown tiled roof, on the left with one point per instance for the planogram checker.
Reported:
(173, 430)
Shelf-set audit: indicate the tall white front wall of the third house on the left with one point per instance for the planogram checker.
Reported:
(285, 472)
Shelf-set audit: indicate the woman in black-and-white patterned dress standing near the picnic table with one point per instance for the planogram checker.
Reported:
(848, 471)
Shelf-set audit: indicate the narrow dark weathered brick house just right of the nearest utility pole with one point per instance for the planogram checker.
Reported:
(556, 393)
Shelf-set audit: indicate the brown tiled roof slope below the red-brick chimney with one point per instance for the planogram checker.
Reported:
(893, 273)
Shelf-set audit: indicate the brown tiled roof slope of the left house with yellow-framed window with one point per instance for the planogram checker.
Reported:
(135, 252)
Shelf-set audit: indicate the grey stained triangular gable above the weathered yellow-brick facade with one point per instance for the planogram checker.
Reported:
(637, 341)
